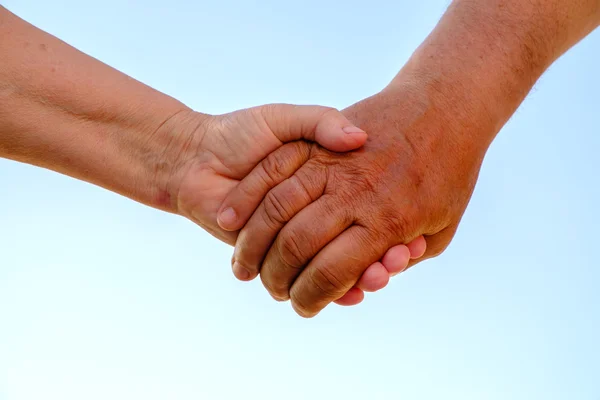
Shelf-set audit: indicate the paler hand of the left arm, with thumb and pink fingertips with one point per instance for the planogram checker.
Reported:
(210, 154)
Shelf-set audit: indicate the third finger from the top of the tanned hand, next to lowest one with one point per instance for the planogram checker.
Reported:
(298, 242)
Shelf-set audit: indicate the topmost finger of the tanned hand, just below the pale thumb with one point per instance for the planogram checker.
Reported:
(241, 202)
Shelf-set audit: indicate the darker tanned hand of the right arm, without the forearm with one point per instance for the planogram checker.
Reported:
(339, 213)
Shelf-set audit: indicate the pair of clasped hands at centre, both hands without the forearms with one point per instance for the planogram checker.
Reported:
(318, 222)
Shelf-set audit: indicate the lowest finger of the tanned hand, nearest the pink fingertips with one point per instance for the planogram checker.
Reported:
(335, 270)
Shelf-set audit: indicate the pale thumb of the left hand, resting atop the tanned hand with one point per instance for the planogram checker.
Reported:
(324, 125)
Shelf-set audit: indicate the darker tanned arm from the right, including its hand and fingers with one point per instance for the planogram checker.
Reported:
(318, 229)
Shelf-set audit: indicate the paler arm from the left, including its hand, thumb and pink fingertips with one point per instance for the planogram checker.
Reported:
(63, 110)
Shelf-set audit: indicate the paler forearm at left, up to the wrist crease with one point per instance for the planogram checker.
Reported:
(63, 110)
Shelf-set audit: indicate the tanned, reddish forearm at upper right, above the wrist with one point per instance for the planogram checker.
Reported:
(484, 56)
